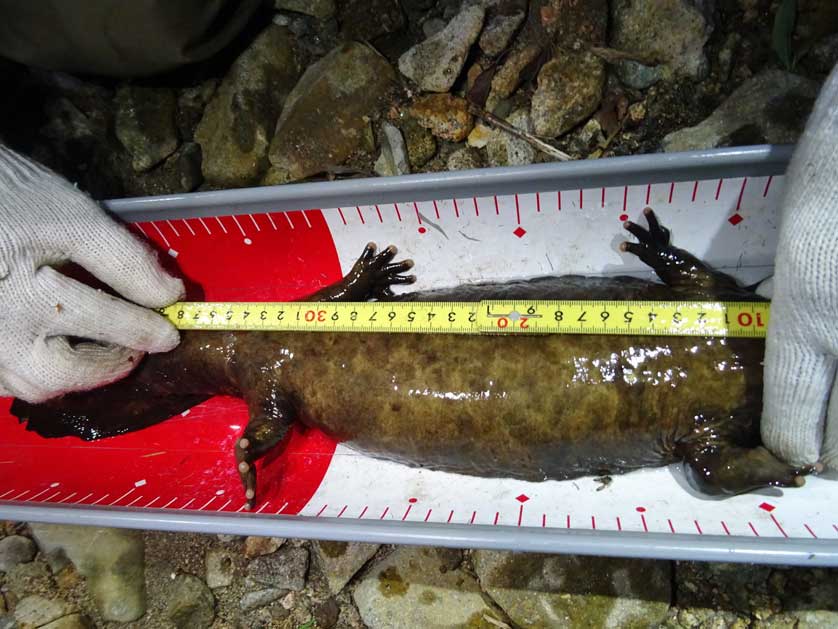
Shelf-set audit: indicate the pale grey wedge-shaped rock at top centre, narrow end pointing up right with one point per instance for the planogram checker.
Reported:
(436, 63)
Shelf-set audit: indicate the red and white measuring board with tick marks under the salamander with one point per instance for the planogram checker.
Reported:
(271, 245)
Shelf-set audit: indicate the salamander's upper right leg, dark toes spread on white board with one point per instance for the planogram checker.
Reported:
(677, 268)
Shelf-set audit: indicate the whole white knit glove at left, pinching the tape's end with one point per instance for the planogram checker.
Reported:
(44, 221)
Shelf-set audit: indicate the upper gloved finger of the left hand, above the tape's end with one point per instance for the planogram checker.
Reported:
(126, 264)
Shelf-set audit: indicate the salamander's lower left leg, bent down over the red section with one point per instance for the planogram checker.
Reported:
(270, 420)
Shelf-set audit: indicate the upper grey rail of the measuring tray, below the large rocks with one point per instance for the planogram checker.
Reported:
(660, 167)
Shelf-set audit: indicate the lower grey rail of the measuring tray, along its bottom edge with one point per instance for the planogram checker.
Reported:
(609, 543)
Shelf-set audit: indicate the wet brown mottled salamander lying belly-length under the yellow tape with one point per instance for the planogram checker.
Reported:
(535, 408)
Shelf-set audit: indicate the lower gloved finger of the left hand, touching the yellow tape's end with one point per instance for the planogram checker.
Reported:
(74, 309)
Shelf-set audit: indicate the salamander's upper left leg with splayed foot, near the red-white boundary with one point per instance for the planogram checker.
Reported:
(370, 278)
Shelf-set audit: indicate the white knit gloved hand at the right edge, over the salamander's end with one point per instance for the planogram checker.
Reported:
(800, 411)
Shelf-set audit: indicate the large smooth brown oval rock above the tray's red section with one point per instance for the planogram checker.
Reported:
(327, 114)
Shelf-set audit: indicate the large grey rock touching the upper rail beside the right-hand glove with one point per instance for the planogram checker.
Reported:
(771, 107)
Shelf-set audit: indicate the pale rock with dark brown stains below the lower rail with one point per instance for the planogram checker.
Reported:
(418, 587)
